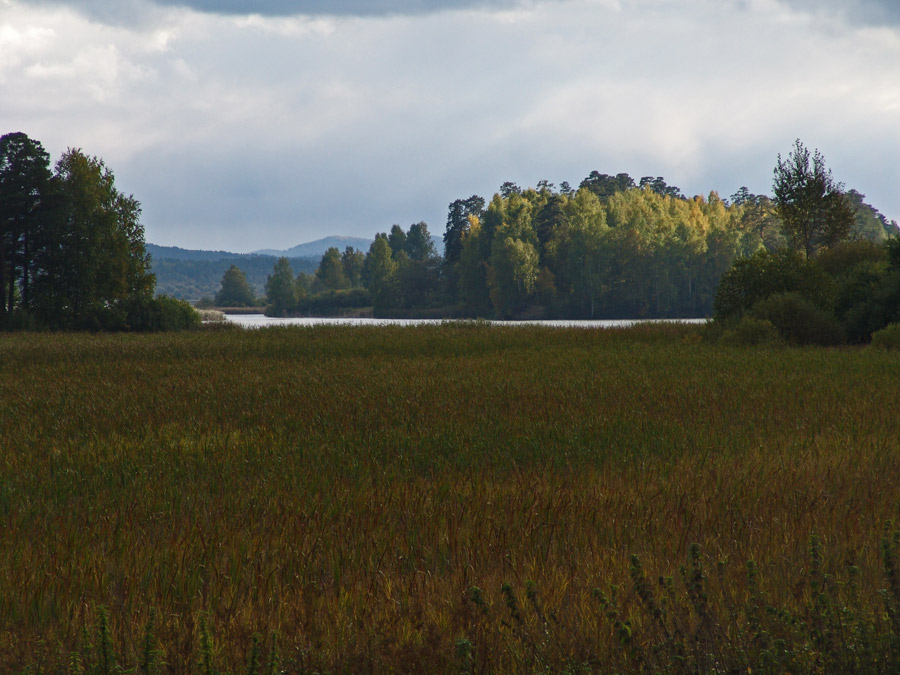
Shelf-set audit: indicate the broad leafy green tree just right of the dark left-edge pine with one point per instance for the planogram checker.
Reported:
(92, 268)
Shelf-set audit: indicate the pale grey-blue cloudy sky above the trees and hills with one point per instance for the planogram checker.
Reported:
(306, 118)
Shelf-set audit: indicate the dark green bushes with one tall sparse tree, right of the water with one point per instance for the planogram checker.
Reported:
(827, 286)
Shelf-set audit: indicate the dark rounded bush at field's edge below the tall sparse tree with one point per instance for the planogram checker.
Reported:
(799, 321)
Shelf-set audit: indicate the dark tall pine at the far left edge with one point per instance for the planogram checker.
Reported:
(25, 197)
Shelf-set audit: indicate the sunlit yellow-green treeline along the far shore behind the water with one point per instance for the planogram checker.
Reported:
(613, 248)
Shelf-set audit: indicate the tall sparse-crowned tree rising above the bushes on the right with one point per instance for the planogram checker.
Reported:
(814, 211)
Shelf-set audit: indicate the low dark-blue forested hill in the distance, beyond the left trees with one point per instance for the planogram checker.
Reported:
(195, 274)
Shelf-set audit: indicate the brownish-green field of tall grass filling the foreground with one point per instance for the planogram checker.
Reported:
(457, 498)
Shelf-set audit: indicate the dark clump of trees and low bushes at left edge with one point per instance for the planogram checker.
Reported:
(72, 246)
